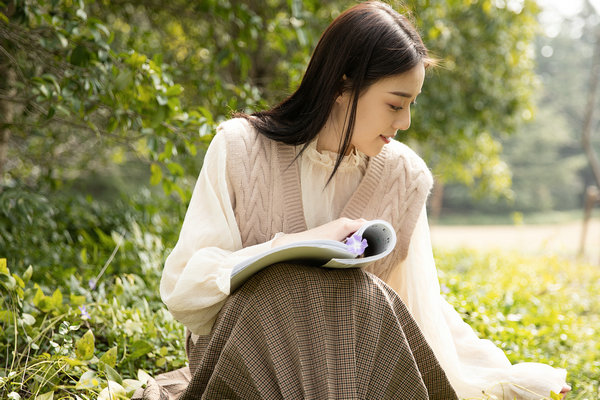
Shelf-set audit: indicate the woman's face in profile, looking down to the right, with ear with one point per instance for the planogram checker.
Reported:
(383, 109)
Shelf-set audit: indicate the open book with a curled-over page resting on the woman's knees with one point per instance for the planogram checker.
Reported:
(380, 237)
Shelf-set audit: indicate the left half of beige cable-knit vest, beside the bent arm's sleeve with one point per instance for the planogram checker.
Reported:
(263, 176)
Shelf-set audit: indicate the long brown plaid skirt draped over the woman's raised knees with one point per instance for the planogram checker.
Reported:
(299, 332)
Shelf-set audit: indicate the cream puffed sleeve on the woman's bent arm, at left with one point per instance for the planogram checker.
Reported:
(195, 278)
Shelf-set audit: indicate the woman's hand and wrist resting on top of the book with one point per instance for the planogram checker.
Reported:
(338, 230)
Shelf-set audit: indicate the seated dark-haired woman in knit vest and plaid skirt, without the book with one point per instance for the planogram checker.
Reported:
(316, 166)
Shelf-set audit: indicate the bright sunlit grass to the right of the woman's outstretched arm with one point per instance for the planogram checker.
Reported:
(537, 309)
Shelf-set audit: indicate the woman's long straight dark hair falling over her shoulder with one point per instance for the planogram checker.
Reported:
(365, 43)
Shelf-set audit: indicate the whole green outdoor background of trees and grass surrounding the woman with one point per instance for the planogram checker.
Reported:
(106, 110)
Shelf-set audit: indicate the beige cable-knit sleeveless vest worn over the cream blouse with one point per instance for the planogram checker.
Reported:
(267, 198)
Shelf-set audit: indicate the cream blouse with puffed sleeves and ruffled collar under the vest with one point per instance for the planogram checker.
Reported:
(195, 280)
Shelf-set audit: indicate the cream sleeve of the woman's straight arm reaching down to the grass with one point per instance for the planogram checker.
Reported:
(473, 365)
